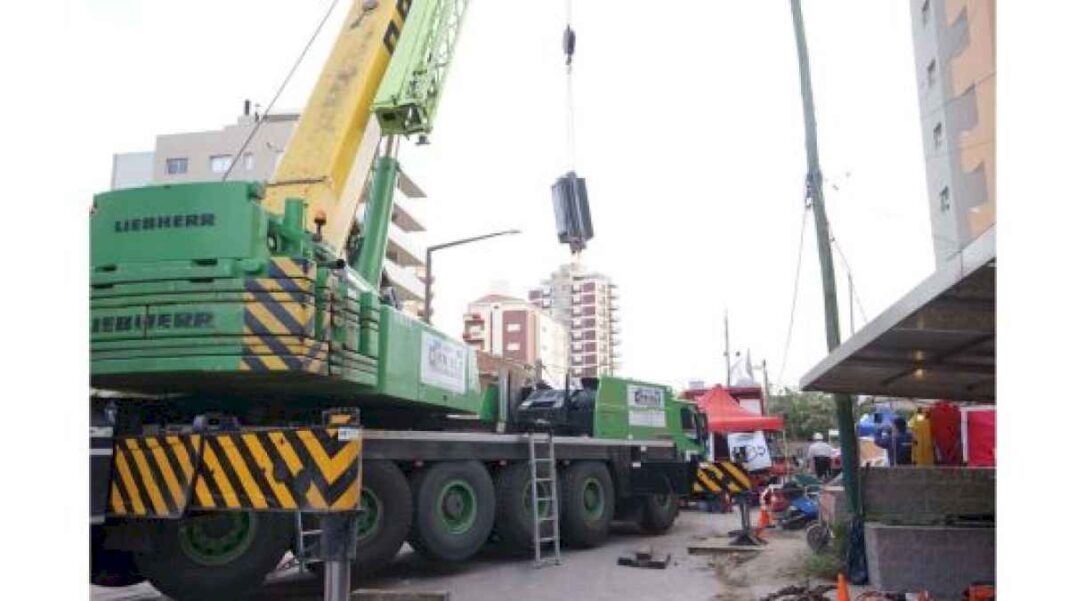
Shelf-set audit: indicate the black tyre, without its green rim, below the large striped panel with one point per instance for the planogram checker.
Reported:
(182, 578)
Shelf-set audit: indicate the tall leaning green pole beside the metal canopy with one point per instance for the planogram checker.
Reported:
(843, 403)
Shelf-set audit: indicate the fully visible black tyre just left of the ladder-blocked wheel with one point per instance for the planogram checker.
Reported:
(430, 536)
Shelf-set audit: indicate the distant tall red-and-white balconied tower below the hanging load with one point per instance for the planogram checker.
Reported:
(588, 304)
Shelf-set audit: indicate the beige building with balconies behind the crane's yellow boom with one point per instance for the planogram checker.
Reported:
(206, 156)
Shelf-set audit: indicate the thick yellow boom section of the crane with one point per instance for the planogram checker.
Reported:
(329, 157)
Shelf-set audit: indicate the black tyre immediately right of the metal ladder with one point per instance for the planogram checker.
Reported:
(577, 527)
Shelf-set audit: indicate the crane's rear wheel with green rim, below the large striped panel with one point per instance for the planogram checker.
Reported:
(217, 556)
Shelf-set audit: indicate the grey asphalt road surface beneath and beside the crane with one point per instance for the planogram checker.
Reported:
(588, 575)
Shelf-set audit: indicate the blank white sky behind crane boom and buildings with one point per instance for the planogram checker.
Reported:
(689, 133)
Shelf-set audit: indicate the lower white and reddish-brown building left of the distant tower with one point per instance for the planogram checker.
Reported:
(520, 331)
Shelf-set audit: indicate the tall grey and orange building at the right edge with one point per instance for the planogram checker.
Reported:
(956, 74)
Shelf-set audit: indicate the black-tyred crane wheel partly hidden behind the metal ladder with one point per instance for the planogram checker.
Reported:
(514, 523)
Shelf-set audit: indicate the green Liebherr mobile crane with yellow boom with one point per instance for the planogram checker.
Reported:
(228, 319)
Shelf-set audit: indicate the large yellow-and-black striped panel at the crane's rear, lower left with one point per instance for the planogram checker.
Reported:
(311, 469)
